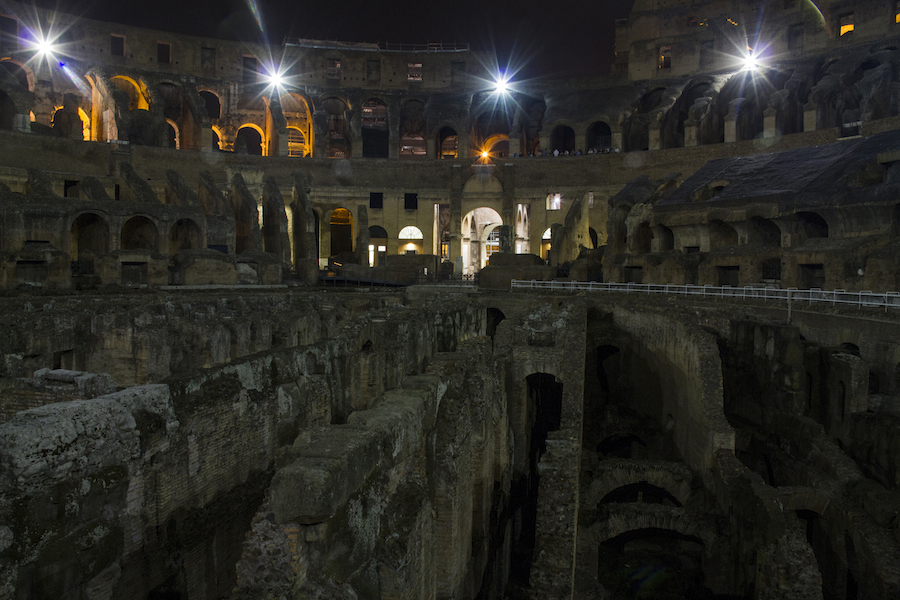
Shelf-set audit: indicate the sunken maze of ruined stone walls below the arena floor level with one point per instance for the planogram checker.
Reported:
(431, 445)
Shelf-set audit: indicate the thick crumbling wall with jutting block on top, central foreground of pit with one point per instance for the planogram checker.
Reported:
(399, 501)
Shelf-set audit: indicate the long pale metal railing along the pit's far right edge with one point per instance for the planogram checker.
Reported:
(864, 299)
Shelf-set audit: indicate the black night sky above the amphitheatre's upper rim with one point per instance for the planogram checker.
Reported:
(558, 37)
